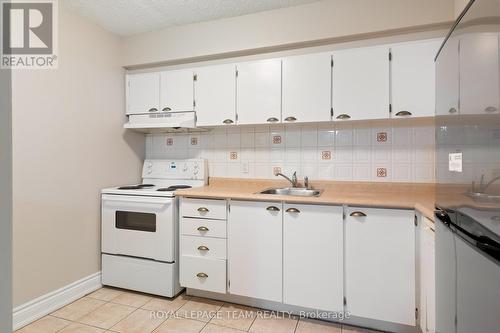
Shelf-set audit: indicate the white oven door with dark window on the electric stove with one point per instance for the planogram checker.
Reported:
(139, 226)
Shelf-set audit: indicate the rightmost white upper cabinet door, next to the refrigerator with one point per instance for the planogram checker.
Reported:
(413, 79)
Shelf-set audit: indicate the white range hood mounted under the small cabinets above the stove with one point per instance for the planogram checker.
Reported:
(163, 122)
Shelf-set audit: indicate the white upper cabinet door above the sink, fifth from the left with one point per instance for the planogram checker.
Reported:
(307, 88)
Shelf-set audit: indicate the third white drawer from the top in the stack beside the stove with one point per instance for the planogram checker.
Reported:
(205, 247)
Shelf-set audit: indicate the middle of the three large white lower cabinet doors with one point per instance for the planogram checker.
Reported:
(313, 256)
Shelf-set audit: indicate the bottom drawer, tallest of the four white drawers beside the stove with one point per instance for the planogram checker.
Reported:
(203, 274)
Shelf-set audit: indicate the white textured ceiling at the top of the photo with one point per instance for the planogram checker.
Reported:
(128, 17)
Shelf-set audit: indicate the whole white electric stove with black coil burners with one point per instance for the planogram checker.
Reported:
(139, 227)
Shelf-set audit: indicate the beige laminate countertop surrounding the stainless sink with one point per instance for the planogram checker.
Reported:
(371, 194)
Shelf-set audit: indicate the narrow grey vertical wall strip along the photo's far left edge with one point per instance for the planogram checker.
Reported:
(5, 202)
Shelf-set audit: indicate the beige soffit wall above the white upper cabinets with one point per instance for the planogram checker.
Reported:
(316, 21)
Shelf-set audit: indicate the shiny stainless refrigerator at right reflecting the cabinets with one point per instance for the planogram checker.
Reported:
(468, 173)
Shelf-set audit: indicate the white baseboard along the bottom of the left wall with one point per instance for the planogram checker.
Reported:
(48, 303)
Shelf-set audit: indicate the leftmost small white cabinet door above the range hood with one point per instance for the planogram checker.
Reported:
(143, 93)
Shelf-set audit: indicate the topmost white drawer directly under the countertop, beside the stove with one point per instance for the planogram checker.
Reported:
(203, 208)
